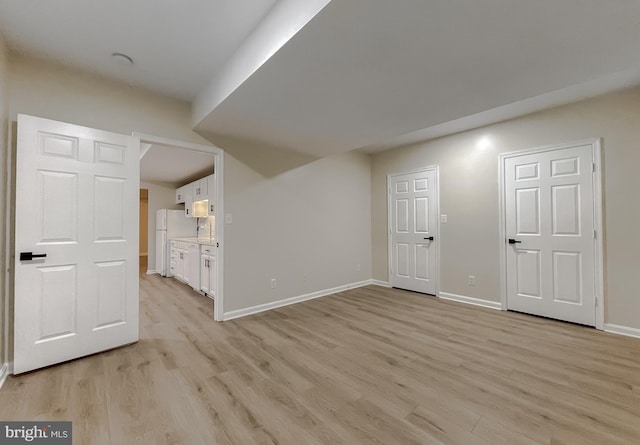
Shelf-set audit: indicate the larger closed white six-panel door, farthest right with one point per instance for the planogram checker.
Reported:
(550, 251)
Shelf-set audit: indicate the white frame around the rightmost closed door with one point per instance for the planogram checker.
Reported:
(598, 273)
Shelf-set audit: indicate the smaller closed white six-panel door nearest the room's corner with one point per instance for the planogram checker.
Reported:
(413, 227)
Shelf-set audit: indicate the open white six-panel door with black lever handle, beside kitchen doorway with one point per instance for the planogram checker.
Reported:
(76, 242)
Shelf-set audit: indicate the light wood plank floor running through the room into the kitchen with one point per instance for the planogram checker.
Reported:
(367, 366)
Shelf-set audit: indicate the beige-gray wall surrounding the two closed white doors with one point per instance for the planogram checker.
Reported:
(469, 195)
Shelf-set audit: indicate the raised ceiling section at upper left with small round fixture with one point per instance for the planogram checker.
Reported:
(177, 46)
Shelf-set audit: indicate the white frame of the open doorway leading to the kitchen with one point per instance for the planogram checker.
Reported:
(218, 312)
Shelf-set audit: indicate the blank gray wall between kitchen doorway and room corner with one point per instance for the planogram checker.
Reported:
(308, 227)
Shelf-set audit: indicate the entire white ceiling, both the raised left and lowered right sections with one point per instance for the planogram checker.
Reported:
(370, 74)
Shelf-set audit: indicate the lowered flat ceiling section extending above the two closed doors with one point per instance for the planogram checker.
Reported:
(363, 74)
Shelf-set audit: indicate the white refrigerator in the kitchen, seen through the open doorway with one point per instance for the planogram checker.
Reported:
(171, 224)
